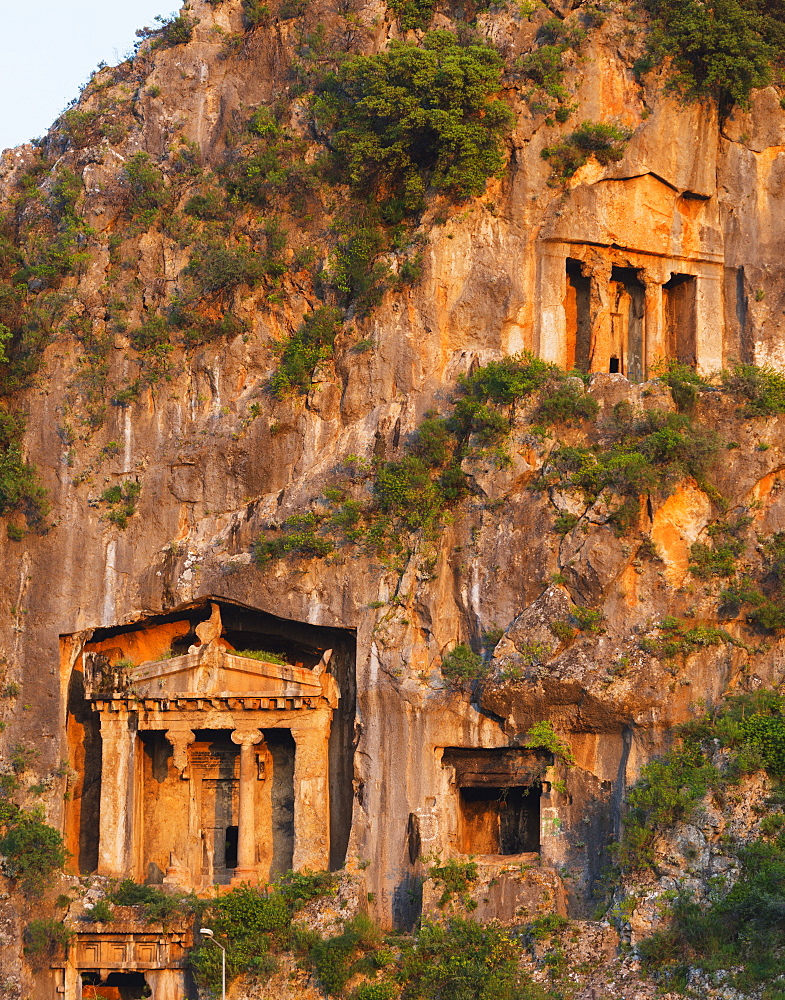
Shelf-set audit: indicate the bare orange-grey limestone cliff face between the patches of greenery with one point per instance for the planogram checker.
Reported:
(219, 459)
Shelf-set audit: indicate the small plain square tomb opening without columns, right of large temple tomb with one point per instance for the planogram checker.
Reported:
(498, 799)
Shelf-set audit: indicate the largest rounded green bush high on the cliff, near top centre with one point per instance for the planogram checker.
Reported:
(414, 116)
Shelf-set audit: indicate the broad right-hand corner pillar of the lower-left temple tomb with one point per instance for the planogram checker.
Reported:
(312, 792)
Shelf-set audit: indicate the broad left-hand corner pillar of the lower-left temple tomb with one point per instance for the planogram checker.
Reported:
(118, 781)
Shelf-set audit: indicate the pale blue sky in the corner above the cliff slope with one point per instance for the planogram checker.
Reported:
(48, 48)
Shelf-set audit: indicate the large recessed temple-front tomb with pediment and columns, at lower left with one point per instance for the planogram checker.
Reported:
(158, 712)
